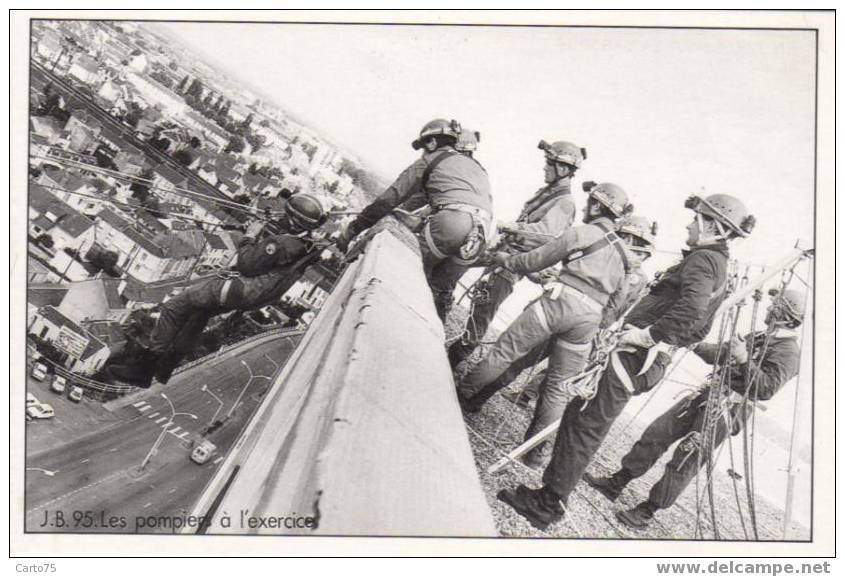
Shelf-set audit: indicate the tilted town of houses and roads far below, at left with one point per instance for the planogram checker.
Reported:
(144, 166)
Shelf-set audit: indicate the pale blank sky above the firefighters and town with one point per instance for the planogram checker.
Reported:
(663, 113)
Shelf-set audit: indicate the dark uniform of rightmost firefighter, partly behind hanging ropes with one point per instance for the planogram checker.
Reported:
(686, 418)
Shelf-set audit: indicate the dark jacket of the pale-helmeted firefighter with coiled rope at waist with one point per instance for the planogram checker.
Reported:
(680, 307)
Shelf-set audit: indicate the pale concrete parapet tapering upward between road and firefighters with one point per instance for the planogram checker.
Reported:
(361, 431)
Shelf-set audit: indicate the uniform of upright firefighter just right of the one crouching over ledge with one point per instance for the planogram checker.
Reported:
(549, 212)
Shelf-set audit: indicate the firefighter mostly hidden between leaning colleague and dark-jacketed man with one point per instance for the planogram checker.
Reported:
(639, 233)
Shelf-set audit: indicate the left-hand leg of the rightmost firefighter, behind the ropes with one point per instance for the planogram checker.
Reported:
(658, 437)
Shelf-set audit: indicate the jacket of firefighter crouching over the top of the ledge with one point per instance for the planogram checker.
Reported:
(457, 179)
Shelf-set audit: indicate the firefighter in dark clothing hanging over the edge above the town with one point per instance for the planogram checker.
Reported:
(264, 271)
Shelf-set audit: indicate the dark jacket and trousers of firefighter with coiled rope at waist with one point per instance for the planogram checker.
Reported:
(679, 309)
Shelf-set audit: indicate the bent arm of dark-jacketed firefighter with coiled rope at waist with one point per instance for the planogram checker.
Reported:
(697, 282)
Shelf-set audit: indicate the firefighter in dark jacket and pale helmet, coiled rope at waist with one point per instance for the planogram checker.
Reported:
(678, 311)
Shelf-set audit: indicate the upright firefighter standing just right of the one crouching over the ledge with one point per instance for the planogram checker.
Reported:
(546, 215)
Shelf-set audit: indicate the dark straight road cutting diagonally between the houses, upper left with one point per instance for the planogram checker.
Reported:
(40, 76)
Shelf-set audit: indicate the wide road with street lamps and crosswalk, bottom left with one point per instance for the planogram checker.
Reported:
(92, 483)
